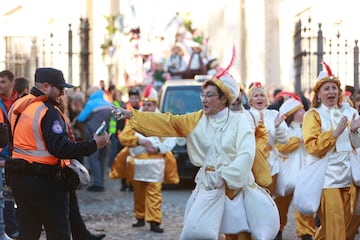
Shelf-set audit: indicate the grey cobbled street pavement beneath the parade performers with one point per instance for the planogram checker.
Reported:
(111, 212)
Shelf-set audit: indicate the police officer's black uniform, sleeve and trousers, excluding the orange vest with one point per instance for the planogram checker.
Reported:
(39, 189)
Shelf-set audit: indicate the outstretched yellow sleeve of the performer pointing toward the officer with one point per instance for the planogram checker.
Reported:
(164, 124)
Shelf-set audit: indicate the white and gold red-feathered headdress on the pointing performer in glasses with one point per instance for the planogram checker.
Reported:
(226, 81)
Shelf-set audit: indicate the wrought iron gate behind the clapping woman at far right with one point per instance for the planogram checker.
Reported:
(312, 47)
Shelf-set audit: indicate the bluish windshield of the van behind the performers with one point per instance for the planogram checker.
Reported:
(182, 99)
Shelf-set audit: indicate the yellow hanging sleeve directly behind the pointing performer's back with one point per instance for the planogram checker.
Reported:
(261, 169)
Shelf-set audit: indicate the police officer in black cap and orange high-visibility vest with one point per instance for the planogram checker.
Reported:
(35, 171)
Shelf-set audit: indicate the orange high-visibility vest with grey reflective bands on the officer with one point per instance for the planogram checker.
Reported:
(28, 137)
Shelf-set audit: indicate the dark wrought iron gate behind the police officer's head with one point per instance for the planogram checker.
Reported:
(24, 54)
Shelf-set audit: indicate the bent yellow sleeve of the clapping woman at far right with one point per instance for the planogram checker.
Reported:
(316, 142)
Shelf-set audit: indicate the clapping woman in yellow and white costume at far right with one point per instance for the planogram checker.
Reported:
(329, 126)
